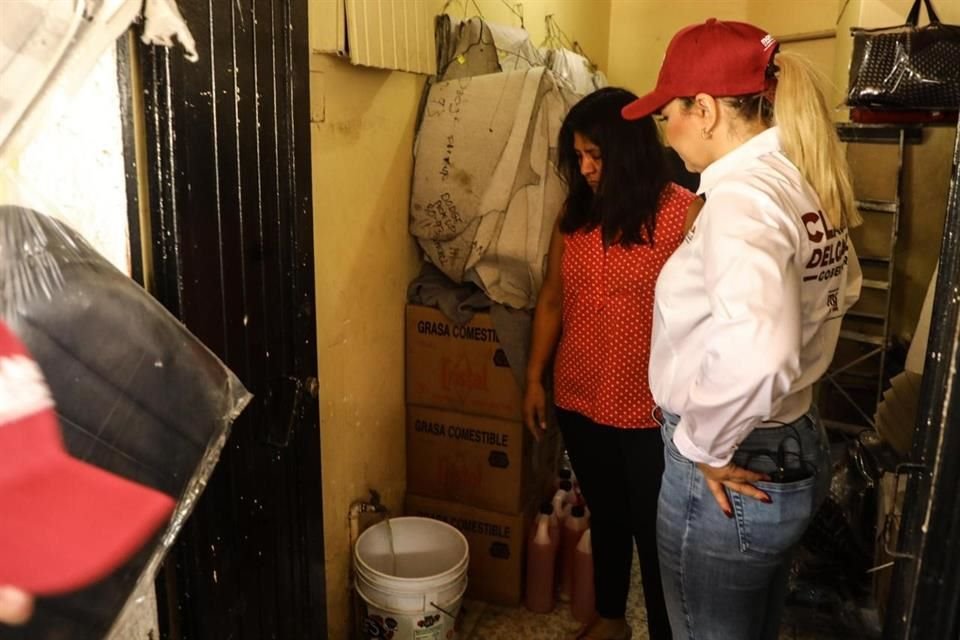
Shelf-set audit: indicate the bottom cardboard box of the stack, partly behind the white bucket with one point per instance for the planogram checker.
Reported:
(497, 546)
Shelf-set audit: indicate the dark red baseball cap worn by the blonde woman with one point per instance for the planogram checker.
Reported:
(717, 58)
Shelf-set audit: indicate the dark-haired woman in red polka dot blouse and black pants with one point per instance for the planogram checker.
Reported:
(621, 221)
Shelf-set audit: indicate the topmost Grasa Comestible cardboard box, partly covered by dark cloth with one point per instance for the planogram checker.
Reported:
(459, 367)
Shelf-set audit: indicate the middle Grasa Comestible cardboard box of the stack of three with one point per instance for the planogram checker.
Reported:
(484, 462)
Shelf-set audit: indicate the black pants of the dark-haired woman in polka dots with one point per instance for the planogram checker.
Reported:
(619, 472)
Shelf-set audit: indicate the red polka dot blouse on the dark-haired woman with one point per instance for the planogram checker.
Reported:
(602, 359)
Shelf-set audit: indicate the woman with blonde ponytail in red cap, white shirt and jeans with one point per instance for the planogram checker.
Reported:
(747, 316)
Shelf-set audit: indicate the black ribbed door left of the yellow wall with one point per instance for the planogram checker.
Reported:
(229, 188)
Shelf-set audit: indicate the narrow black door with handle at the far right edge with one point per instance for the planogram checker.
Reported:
(925, 595)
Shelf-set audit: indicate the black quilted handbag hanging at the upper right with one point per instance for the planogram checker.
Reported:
(906, 67)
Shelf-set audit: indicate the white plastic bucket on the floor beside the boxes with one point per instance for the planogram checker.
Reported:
(414, 587)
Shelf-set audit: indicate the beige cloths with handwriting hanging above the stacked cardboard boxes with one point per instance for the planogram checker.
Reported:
(485, 191)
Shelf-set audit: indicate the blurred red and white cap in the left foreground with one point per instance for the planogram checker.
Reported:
(65, 523)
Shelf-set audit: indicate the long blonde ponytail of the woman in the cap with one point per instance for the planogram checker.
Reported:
(809, 138)
